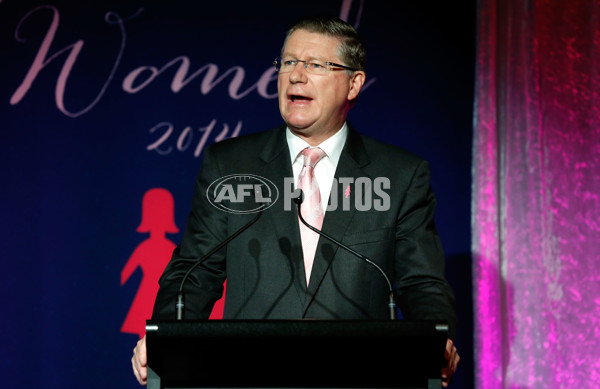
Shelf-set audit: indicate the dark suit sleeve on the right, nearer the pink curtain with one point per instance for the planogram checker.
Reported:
(423, 292)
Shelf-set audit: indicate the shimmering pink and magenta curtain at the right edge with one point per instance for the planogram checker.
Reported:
(536, 189)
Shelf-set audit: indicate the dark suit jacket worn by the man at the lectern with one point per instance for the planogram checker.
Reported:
(264, 267)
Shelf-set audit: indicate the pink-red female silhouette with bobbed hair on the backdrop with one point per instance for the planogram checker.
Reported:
(152, 256)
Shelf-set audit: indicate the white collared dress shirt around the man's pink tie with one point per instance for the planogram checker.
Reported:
(325, 168)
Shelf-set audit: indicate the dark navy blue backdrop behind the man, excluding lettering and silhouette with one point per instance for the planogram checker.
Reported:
(72, 186)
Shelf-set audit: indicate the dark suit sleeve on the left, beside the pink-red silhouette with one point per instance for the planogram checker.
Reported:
(206, 227)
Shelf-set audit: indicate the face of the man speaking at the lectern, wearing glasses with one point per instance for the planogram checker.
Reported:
(315, 106)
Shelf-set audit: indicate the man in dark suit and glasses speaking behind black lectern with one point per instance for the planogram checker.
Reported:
(272, 271)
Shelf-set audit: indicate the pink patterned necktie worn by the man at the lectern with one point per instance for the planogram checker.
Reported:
(311, 206)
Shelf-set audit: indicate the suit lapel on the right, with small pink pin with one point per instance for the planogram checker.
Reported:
(336, 222)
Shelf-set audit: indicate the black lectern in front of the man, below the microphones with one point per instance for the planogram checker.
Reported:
(295, 354)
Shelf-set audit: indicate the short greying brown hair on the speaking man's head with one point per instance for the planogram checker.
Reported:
(352, 49)
